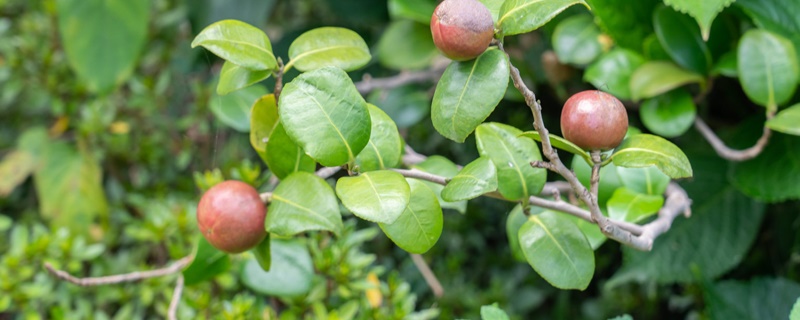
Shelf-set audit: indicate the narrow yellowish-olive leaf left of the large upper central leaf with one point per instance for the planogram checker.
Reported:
(263, 120)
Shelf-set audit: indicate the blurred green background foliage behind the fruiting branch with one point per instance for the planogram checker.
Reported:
(102, 159)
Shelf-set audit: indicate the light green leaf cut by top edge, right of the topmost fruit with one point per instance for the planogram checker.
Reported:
(523, 16)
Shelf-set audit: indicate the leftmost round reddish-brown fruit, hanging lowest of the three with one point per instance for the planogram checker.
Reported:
(231, 216)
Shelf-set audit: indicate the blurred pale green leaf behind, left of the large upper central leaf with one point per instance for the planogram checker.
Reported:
(234, 109)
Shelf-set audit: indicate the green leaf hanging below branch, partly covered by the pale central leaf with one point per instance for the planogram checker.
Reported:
(420, 225)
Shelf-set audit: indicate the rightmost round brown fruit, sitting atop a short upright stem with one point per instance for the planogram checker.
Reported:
(594, 120)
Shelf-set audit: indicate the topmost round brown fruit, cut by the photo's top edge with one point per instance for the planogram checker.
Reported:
(462, 29)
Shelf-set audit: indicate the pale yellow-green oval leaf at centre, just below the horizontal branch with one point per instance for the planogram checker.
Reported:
(377, 196)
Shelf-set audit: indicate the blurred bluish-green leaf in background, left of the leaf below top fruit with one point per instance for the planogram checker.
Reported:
(406, 105)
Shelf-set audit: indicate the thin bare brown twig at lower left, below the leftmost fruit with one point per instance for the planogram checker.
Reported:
(176, 267)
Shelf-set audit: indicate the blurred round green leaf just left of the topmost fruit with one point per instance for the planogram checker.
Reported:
(406, 45)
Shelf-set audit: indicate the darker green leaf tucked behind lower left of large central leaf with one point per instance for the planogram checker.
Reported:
(284, 156)
